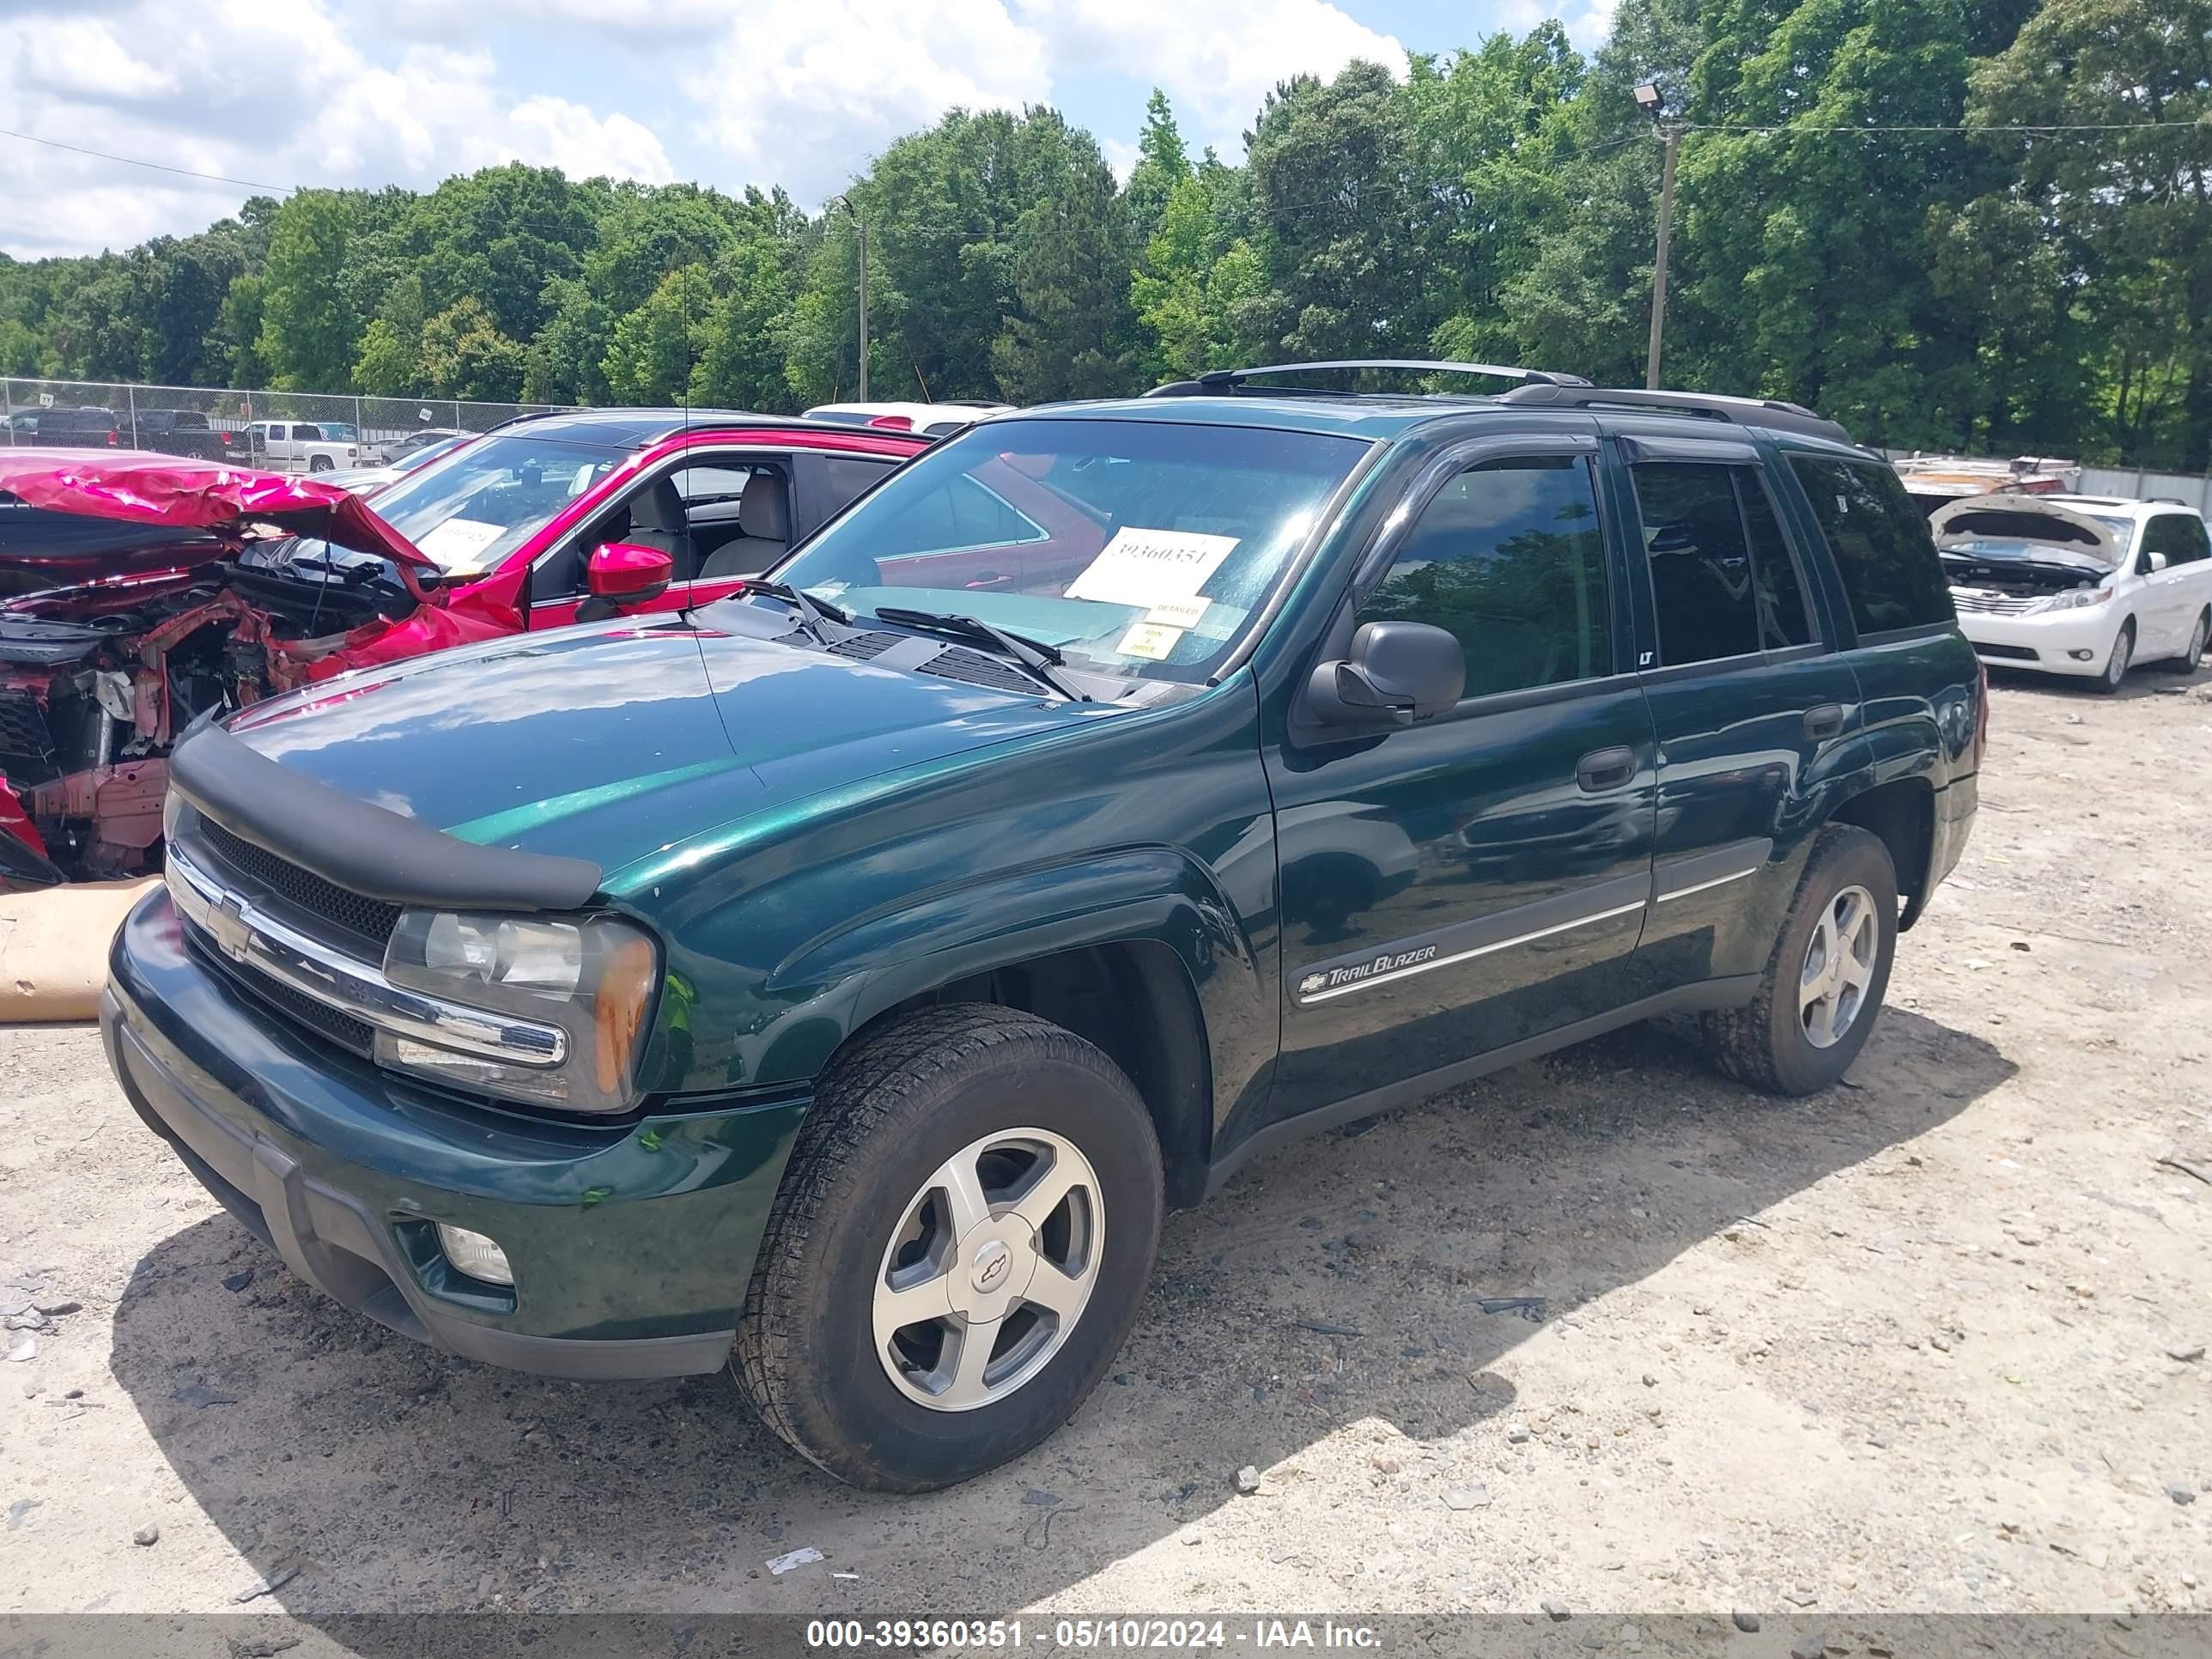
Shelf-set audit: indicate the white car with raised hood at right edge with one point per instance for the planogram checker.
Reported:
(2078, 585)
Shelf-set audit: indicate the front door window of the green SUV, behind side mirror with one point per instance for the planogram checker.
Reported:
(1510, 559)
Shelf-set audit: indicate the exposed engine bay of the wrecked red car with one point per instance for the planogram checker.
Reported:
(96, 682)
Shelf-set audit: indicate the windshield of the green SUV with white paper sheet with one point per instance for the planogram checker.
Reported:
(1138, 547)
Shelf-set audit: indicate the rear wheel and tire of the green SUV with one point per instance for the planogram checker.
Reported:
(1839, 939)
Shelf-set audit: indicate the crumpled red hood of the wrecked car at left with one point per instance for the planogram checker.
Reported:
(198, 494)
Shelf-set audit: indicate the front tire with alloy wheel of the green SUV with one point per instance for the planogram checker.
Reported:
(957, 1253)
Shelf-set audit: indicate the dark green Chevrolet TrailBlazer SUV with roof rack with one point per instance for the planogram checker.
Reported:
(839, 981)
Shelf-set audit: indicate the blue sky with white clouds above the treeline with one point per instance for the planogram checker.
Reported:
(724, 92)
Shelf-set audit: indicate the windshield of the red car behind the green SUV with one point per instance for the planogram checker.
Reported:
(477, 505)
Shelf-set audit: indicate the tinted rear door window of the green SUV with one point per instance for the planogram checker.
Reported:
(1722, 576)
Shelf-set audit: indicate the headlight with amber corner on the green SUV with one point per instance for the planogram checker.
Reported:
(592, 979)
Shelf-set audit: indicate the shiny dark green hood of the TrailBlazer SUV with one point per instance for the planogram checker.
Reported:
(620, 740)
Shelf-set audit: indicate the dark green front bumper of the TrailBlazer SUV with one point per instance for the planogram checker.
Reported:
(632, 1244)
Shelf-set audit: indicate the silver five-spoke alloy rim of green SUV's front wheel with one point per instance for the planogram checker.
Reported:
(990, 1271)
